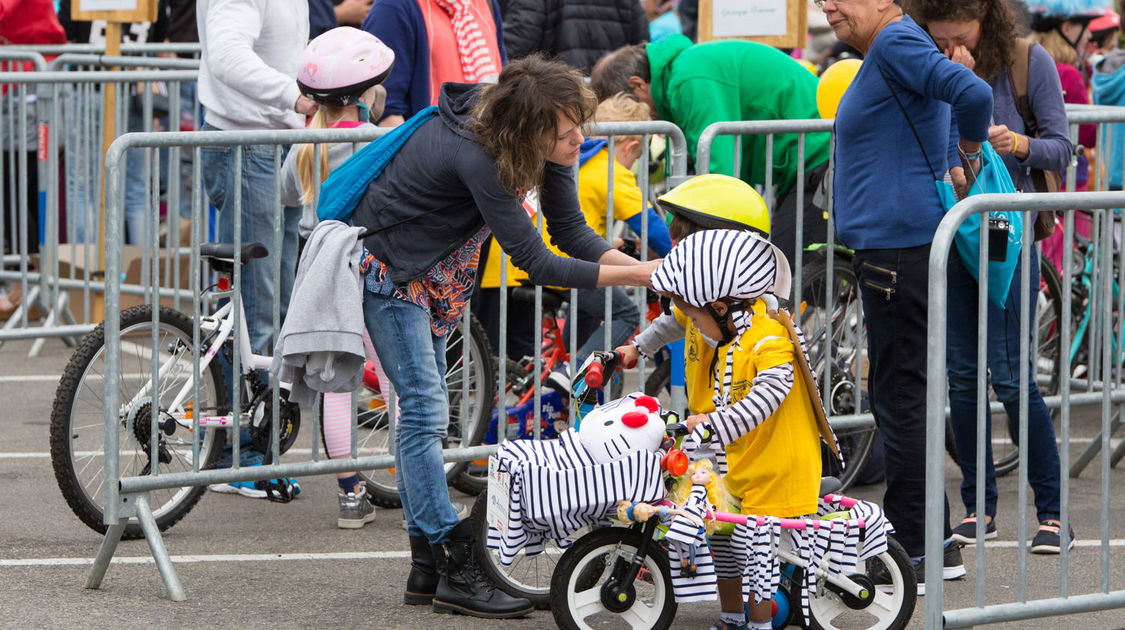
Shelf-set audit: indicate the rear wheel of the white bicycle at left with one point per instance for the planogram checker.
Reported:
(78, 427)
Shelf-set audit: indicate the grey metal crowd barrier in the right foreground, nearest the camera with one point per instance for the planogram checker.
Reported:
(1109, 392)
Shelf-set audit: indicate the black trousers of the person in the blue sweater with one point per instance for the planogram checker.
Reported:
(894, 287)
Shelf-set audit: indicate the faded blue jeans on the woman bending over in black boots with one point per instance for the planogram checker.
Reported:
(415, 361)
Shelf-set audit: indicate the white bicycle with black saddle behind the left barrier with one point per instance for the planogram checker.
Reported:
(157, 417)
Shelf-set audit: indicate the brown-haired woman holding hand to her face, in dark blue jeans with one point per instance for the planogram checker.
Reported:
(982, 35)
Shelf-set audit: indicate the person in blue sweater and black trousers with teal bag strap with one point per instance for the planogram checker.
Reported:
(893, 141)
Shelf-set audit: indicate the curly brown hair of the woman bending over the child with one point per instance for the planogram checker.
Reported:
(512, 116)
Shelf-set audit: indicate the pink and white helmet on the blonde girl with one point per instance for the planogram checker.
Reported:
(341, 65)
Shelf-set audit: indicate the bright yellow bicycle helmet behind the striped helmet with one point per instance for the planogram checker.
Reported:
(716, 202)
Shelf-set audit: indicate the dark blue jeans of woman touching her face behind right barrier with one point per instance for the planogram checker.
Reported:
(1004, 371)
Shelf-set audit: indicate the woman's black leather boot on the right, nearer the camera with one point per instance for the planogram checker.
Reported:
(464, 589)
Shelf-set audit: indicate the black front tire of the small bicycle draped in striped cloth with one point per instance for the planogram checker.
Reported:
(595, 541)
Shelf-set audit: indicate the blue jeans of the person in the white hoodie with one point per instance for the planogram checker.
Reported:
(258, 219)
